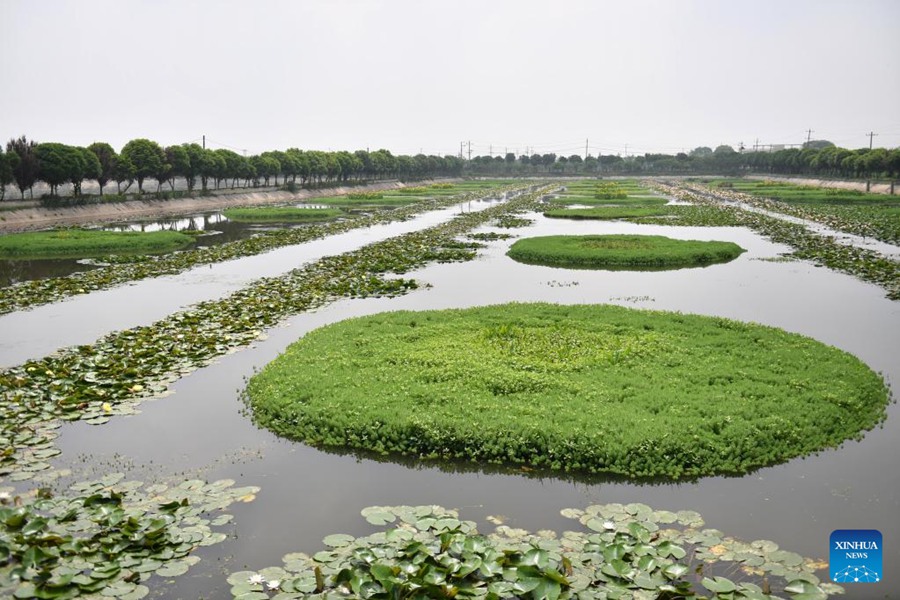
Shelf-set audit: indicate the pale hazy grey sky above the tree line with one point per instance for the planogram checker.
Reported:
(522, 76)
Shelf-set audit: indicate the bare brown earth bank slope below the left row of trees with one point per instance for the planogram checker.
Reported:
(33, 218)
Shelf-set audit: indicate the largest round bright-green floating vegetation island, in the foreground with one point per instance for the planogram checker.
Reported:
(589, 388)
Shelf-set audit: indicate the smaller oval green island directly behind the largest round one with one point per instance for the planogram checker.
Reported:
(621, 251)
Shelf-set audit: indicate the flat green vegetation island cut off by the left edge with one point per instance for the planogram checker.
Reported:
(83, 243)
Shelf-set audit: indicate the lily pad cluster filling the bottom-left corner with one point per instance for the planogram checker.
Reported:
(107, 538)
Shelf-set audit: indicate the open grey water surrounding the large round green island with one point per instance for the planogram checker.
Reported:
(307, 494)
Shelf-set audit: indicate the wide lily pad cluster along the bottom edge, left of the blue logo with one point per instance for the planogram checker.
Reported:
(622, 551)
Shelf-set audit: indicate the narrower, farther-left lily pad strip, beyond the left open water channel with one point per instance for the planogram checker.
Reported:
(35, 292)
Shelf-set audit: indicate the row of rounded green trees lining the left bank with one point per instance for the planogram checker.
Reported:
(27, 162)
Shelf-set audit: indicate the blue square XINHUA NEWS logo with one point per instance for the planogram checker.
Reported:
(855, 556)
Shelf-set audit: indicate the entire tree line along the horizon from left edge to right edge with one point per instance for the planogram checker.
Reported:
(26, 162)
